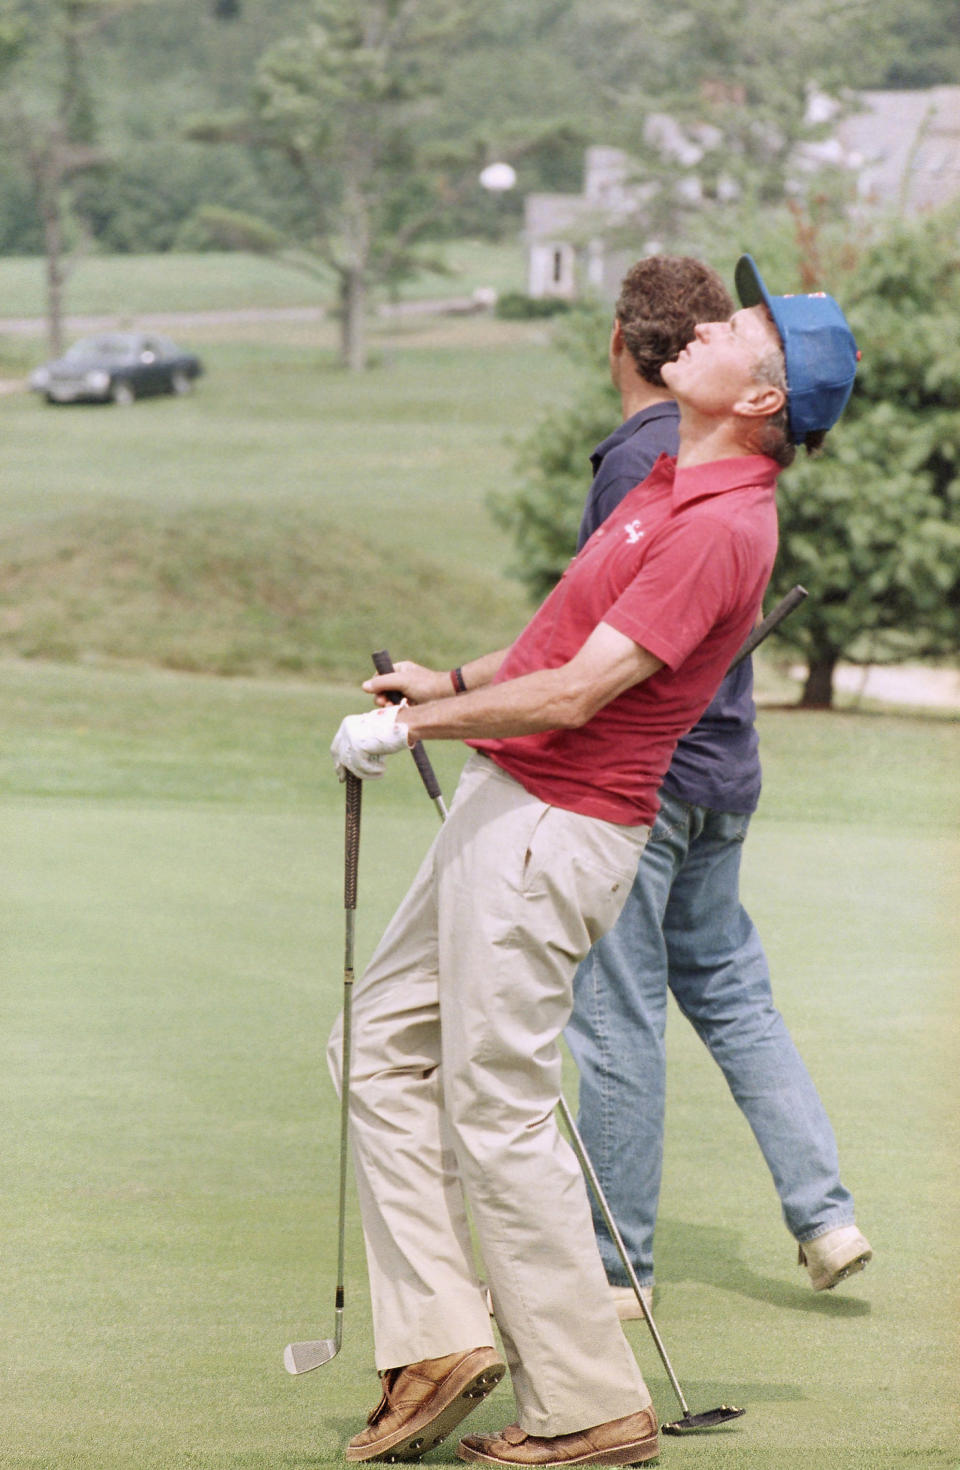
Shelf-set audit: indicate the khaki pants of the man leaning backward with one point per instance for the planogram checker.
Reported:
(455, 1080)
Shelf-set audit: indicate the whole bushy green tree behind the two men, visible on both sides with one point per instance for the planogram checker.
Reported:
(873, 527)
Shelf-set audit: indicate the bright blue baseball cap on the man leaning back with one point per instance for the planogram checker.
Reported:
(820, 351)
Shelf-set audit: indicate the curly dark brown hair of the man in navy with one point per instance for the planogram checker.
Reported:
(661, 302)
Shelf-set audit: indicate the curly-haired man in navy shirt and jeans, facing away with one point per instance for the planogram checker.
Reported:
(684, 928)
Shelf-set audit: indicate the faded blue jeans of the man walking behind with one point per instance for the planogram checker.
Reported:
(684, 928)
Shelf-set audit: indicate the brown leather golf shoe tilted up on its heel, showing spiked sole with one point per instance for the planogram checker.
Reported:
(424, 1403)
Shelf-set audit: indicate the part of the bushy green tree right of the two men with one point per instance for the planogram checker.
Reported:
(873, 528)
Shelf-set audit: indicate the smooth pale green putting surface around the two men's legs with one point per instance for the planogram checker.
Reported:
(171, 934)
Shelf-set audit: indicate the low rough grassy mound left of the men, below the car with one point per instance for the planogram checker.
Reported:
(237, 592)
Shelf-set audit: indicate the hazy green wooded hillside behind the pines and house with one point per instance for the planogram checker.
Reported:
(537, 80)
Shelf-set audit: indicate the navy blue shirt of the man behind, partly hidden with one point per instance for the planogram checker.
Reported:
(718, 764)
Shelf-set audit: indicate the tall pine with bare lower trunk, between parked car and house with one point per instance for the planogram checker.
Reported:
(345, 107)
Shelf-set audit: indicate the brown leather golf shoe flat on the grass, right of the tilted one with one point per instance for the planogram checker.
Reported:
(621, 1443)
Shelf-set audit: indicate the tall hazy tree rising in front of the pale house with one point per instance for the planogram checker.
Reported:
(711, 104)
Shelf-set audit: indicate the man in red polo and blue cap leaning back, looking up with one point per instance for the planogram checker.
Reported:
(456, 1068)
